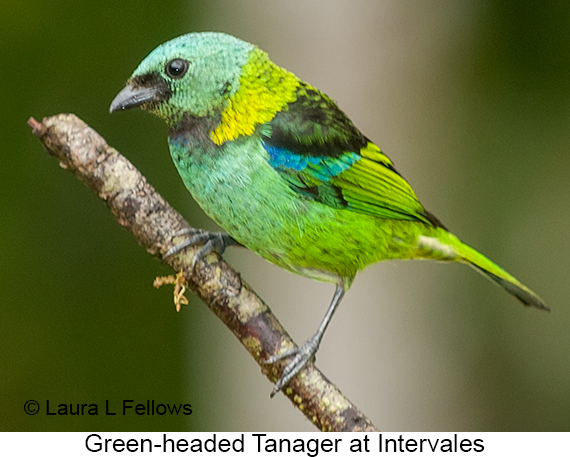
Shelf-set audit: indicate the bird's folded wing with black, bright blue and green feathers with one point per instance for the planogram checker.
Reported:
(315, 147)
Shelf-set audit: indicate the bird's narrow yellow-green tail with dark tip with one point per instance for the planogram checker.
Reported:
(495, 273)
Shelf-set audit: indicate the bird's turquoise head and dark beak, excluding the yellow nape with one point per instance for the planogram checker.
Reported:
(195, 73)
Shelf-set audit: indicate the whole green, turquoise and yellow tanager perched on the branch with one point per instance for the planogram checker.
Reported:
(284, 171)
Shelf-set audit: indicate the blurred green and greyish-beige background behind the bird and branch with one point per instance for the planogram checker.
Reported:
(471, 99)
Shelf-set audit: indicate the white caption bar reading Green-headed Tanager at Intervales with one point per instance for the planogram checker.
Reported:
(291, 444)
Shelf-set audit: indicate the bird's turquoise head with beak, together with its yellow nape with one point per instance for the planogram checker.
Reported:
(210, 76)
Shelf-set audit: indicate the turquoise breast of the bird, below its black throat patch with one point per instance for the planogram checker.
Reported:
(235, 185)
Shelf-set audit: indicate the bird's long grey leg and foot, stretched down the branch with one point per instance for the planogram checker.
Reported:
(308, 350)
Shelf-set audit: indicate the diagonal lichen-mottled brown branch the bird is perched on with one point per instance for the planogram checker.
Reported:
(142, 211)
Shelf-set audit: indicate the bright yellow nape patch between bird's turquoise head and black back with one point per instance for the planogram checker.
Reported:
(265, 89)
